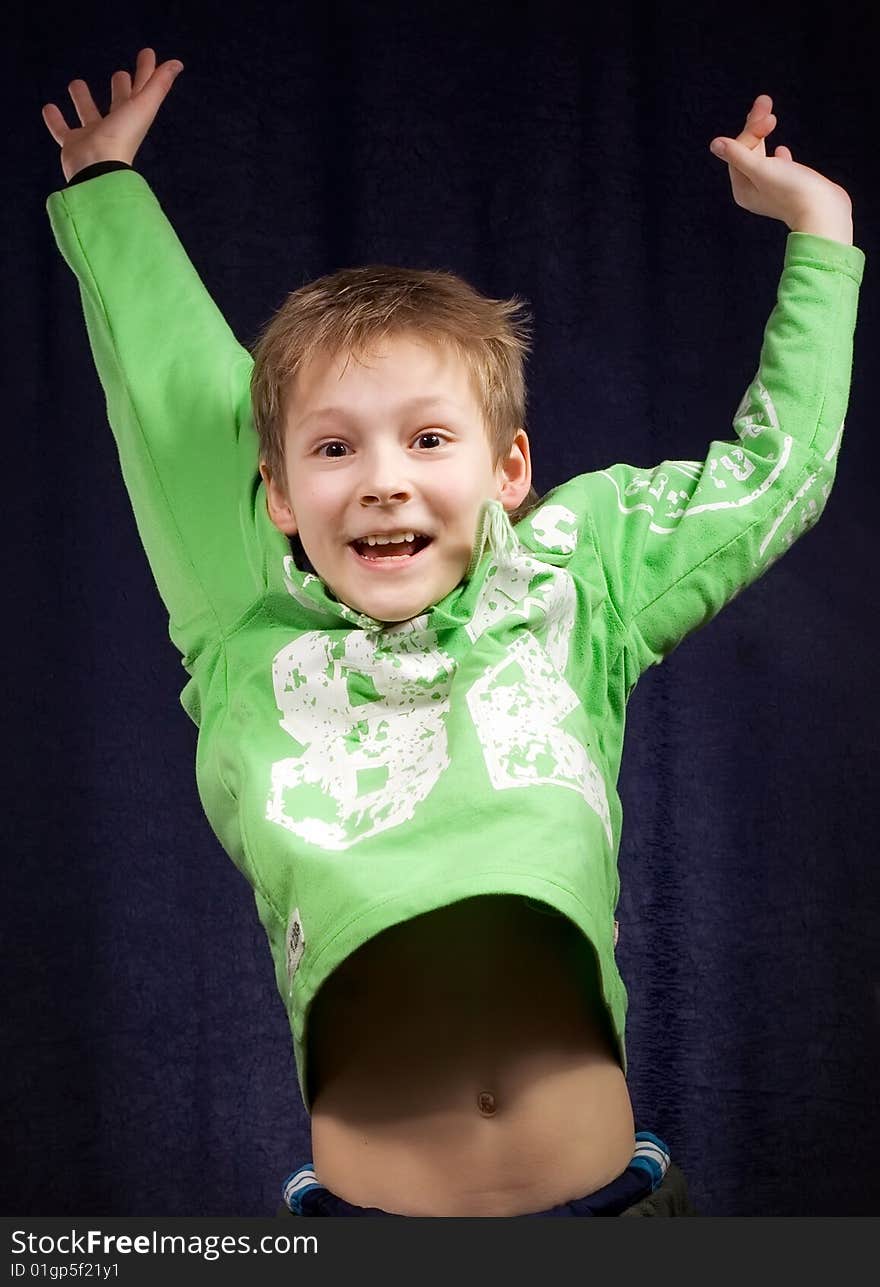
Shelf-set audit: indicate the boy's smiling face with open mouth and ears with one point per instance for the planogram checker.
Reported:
(363, 459)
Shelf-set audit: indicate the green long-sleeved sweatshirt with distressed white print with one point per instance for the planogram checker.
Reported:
(361, 774)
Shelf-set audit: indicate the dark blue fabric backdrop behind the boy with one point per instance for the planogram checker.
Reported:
(541, 150)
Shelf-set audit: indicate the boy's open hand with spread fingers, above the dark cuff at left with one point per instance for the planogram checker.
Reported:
(118, 136)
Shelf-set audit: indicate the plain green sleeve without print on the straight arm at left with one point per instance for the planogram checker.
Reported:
(177, 384)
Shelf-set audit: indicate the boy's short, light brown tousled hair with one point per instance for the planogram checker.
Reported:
(345, 312)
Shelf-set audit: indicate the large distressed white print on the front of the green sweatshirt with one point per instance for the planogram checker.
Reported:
(369, 710)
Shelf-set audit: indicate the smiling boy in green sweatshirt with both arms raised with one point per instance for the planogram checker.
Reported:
(456, 1008)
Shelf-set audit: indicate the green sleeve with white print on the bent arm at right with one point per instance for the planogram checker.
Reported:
(680, 541)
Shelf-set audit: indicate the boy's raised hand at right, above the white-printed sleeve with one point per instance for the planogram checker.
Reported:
(779, 187)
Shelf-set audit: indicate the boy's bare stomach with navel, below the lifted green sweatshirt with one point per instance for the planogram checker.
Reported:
(463, 1065)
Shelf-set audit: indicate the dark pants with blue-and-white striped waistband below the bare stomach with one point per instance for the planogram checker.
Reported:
(650, 1186)
